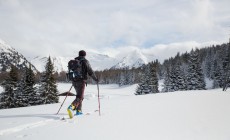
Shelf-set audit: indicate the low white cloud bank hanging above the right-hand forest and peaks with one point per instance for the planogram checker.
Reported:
(159, 51)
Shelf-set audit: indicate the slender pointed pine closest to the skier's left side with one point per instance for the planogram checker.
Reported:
(48, 88)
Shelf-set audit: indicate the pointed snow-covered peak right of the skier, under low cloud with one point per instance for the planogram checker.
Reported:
(133, 59)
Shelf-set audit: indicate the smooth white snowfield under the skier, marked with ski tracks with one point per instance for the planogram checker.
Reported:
(184, 115)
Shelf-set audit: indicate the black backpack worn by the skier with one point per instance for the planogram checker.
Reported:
(75, 70)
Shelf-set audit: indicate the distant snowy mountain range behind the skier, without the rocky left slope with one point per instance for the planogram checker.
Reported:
(98, 61)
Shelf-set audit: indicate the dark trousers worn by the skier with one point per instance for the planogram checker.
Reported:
(80, 88)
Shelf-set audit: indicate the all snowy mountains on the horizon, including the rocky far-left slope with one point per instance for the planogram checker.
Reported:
(9, 55)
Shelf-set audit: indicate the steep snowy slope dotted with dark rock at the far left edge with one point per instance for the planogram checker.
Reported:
(9, 55)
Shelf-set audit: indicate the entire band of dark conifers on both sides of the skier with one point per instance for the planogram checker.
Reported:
(186, 71)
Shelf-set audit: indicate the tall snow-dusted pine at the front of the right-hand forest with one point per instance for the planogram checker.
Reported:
(195, 77)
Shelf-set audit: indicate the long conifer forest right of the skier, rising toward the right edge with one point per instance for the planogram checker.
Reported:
(187, 71)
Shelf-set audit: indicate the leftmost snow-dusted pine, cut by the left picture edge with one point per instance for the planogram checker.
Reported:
(10, 85)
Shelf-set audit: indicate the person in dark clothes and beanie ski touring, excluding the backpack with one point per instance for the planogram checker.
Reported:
(79, 83)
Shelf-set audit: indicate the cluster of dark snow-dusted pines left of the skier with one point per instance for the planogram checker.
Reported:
(24, 88)
